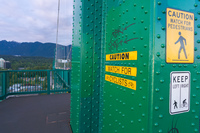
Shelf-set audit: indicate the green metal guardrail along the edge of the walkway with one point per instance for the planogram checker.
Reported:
(16, 82)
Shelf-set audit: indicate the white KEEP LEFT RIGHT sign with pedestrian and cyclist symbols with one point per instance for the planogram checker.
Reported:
(179, 92)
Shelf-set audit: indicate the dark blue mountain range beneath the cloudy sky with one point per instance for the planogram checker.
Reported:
(30, 48)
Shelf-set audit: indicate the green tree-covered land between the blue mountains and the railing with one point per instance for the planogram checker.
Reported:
(29, 63)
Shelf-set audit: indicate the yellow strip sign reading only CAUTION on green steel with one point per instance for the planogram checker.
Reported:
(122, 56)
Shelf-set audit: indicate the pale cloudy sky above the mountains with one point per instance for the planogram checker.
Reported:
(36, 20)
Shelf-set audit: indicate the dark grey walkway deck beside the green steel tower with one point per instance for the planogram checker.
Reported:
(36, 114)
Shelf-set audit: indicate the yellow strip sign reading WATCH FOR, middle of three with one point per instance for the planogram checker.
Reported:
(131, 71)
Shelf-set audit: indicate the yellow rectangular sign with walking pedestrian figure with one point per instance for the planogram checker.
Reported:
(179, 36)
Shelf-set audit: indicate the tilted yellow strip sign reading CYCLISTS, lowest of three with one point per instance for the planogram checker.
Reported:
(121, 81)
